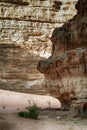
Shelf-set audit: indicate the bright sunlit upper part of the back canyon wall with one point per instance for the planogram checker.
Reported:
(30, 24)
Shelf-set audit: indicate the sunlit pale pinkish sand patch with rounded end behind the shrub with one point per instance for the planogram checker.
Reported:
(11, 102)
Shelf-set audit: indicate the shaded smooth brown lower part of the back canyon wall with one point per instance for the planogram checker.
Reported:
(18, 70)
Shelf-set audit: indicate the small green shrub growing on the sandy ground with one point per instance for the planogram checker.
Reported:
(32, 112)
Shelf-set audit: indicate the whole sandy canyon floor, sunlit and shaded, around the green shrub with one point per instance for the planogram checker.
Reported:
(49, 119)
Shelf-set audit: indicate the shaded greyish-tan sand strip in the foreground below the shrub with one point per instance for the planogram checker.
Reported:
(13, 122)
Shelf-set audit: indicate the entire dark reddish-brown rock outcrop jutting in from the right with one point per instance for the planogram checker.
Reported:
(66, 70)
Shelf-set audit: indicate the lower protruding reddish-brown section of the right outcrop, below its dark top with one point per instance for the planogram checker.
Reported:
(66, 74)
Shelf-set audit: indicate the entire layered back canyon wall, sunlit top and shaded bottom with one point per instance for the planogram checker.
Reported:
(25, 30)
